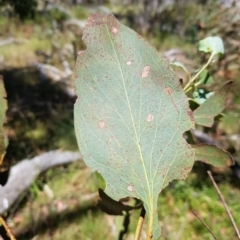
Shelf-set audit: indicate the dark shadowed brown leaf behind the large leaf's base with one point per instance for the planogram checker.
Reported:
(113, 207)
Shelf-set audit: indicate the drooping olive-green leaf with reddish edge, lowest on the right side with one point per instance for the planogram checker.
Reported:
(212, 155)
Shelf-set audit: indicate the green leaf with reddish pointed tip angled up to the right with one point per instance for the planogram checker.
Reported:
(214, 105)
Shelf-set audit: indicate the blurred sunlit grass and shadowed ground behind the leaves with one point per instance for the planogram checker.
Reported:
(39, 43)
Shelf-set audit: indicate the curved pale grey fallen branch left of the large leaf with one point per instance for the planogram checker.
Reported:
(23, 174)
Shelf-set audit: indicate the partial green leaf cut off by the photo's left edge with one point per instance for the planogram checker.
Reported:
(3, 108)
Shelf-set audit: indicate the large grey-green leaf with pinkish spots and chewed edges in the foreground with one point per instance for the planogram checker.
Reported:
(130, 115)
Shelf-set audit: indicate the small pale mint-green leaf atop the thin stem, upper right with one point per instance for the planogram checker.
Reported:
(212, 45)
